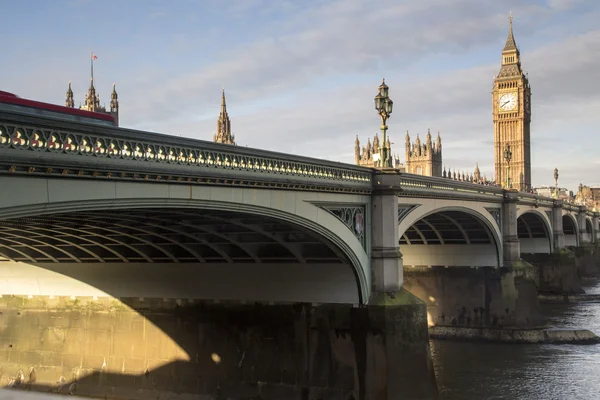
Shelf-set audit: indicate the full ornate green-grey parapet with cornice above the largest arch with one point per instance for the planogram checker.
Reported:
(33, 144)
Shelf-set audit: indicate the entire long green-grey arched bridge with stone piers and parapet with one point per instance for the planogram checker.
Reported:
(135, 262)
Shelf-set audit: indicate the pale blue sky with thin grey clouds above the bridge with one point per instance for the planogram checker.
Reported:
(300, 76)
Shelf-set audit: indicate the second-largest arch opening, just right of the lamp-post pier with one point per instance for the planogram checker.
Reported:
(437, 237)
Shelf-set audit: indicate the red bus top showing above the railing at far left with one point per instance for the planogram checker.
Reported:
(12, 102)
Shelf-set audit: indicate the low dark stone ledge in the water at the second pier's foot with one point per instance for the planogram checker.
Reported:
(513, 335)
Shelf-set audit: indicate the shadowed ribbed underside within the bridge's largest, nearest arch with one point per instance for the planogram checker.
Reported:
(165, 252)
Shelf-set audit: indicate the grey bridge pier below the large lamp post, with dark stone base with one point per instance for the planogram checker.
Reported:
(390, 334)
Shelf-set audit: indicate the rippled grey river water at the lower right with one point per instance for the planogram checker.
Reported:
(482, 371)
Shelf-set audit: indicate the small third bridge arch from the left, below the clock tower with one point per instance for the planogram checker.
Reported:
(535, 232)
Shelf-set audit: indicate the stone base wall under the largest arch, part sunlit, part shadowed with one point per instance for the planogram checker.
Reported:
(144, 348)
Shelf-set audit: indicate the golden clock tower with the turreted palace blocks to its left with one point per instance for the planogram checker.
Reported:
(511, 106)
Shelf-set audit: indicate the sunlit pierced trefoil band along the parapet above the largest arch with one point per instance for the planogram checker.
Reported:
(159, 150)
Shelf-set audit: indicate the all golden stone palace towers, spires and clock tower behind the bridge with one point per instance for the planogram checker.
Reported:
(511, 106)
